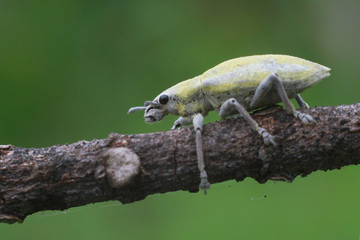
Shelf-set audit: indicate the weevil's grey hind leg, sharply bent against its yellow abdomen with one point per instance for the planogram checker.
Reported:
(273, 81)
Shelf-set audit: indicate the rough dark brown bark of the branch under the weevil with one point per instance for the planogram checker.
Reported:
(64, 176)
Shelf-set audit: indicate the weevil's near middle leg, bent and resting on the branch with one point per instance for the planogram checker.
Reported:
(226, 109)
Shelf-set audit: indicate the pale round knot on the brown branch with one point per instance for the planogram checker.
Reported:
(122, 164)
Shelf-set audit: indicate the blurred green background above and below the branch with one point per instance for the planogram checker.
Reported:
(70, 70)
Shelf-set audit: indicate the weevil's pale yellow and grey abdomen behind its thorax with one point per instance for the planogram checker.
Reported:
(240, 77)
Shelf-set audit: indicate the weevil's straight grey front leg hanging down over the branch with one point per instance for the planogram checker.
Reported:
(198, 122)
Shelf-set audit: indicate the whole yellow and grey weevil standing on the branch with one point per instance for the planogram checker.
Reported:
(237, 86)
